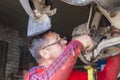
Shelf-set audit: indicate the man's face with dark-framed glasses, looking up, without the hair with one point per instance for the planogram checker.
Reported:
(56, 45)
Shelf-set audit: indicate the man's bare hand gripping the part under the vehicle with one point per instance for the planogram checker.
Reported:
(86, 40)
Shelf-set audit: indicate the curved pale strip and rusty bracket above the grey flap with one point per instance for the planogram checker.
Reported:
(39, 8)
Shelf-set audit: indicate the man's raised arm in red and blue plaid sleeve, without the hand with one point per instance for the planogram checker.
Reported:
(63, 65)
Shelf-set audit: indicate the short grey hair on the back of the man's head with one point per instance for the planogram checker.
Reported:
(35, 47)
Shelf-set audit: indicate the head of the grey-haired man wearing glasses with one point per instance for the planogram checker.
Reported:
(47, 47)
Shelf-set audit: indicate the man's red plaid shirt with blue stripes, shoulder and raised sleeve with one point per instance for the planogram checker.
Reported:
(61, 68)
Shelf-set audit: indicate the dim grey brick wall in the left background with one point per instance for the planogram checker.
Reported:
(14, 40)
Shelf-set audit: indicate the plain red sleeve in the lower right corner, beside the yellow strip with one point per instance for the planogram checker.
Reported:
(111, 70)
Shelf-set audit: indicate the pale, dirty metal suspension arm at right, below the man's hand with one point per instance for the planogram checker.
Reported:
(105, 49)
